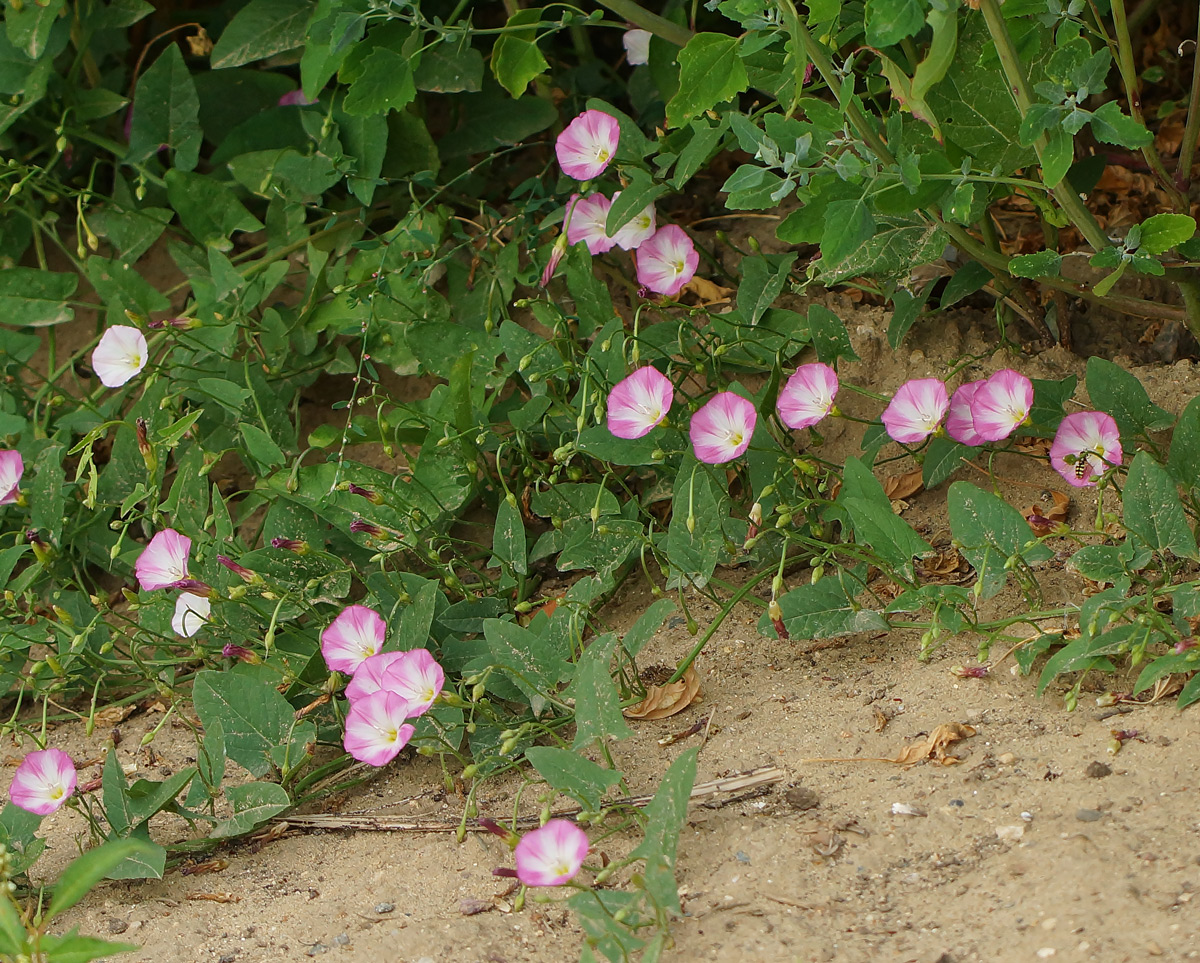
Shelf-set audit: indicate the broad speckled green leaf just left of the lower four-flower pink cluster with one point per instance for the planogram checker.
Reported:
(255, 717)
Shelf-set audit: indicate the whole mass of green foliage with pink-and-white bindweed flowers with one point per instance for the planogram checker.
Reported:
(398, 352)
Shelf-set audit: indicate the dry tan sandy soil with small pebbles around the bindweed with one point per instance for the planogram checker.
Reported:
(1039, 845)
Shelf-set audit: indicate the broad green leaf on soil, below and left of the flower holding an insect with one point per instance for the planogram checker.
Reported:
(991, 531)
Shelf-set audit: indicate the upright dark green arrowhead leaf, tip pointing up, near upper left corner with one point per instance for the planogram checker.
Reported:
(166, 111)
